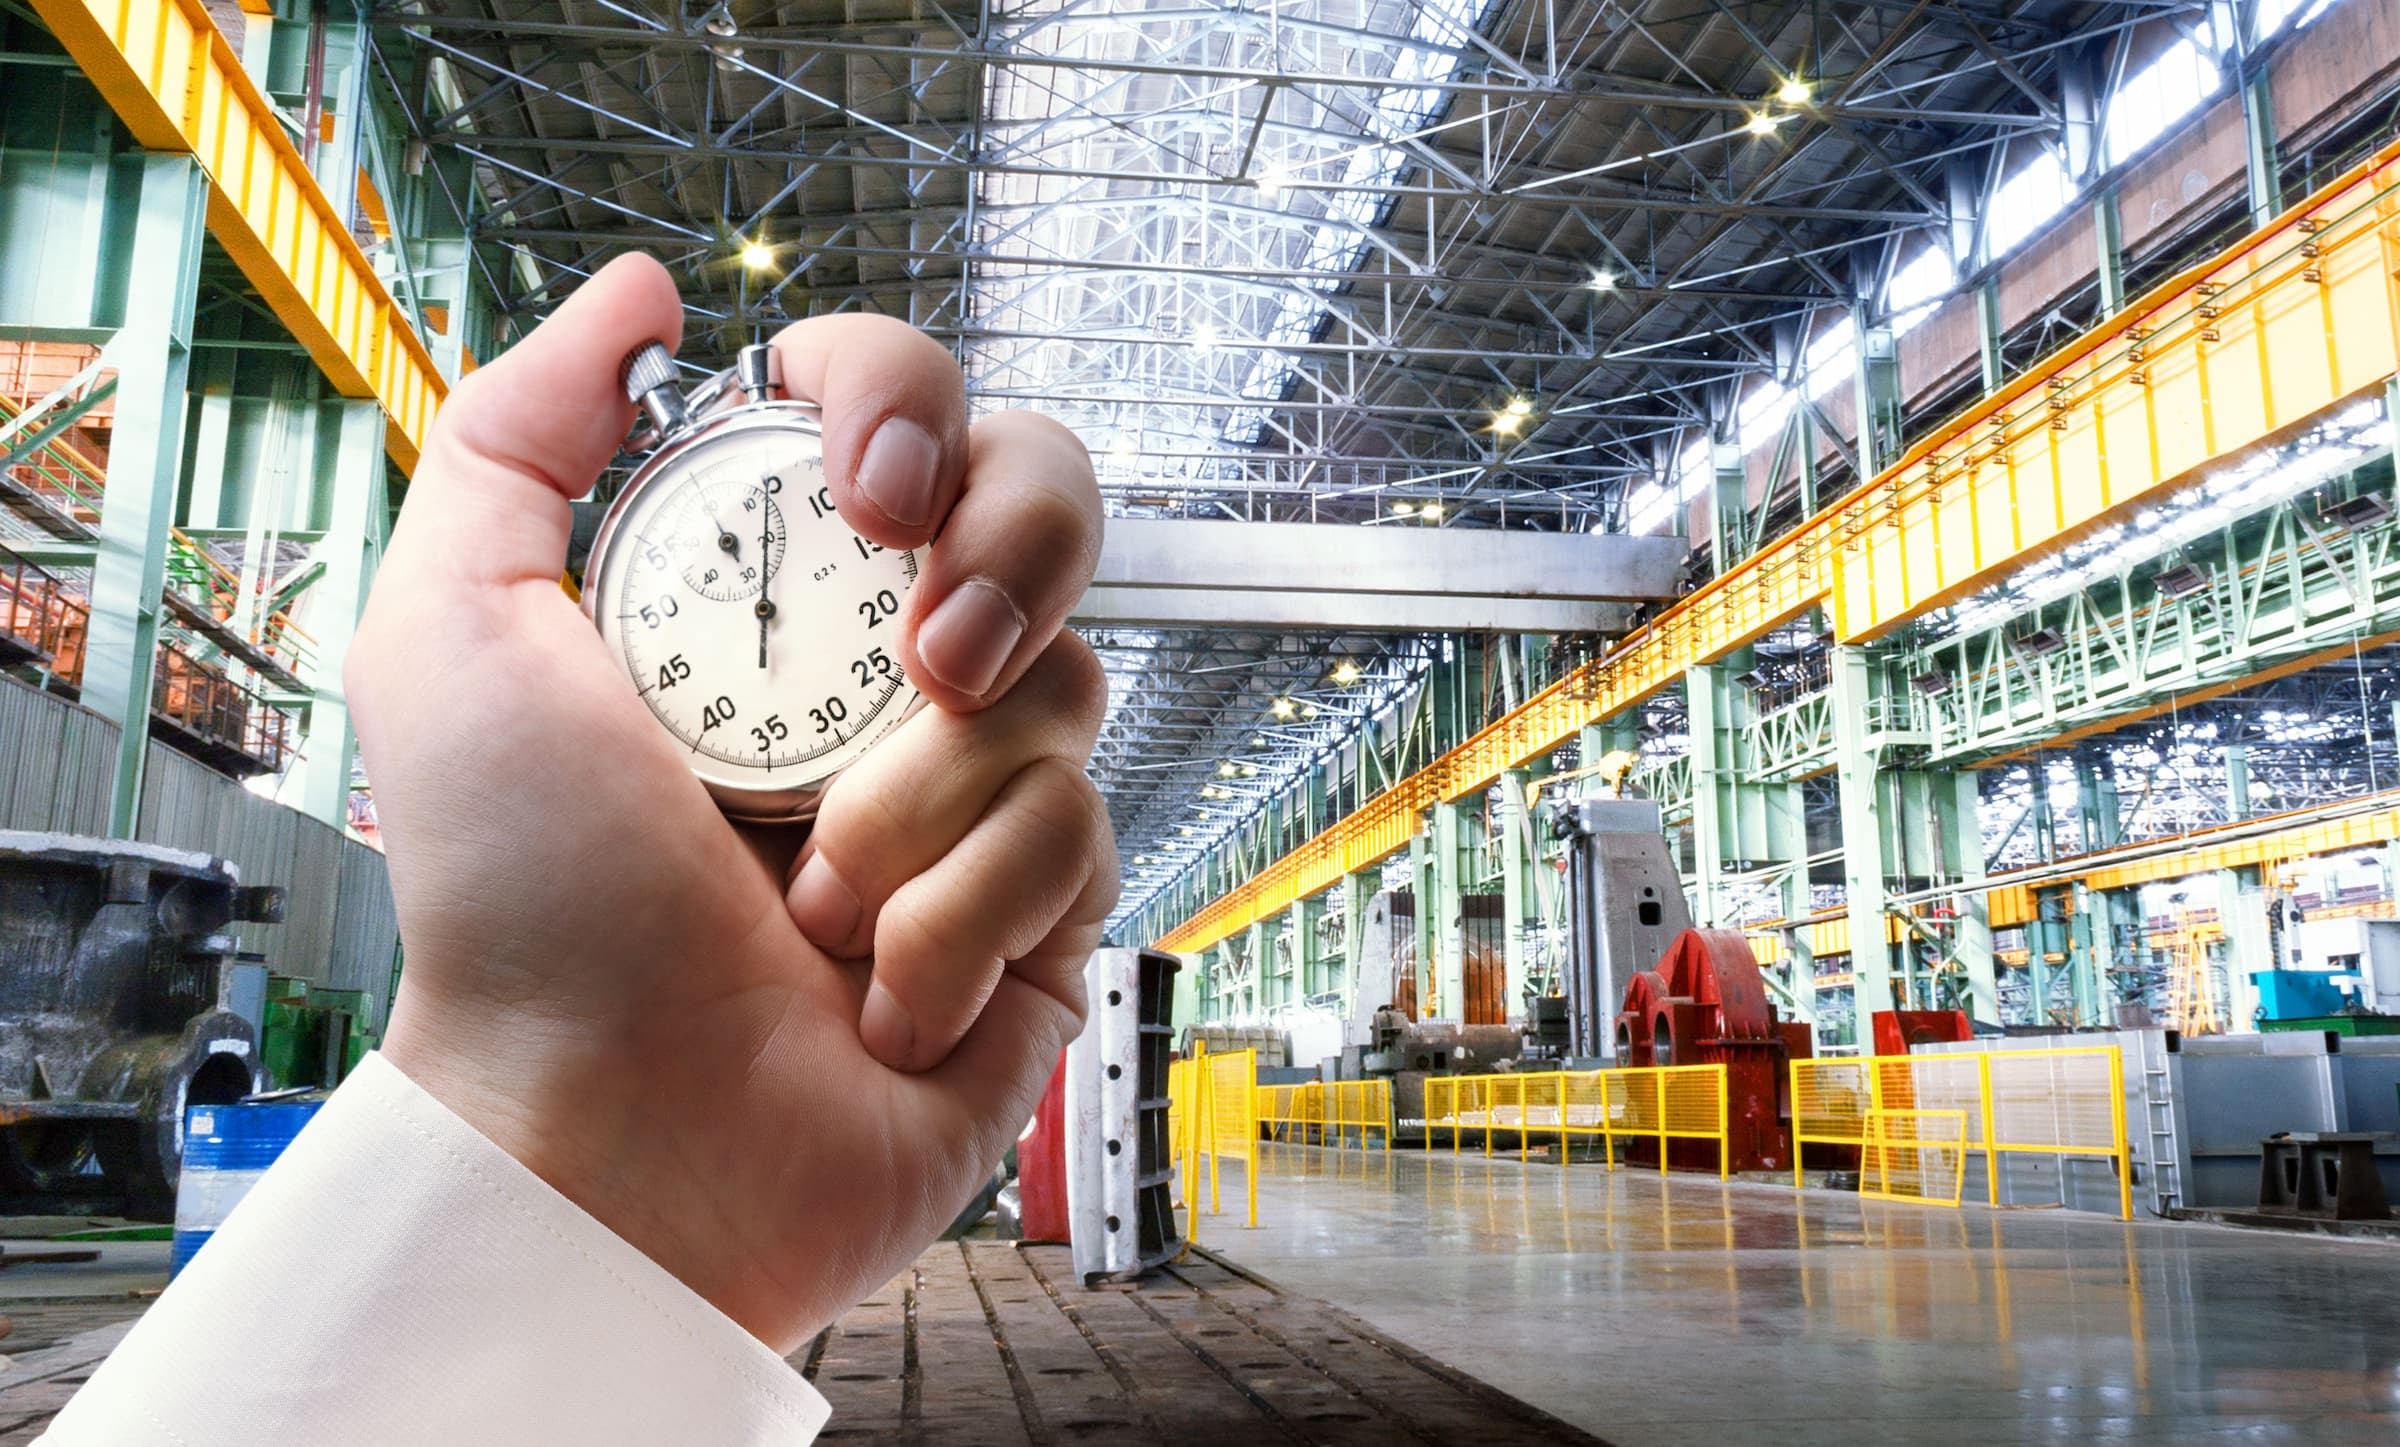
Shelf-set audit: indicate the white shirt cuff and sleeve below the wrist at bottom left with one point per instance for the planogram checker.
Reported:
(397, 1278)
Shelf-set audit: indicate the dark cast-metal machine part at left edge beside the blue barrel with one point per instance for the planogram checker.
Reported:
(112, 1019)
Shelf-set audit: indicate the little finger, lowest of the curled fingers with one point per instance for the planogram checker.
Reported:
(1040, 863)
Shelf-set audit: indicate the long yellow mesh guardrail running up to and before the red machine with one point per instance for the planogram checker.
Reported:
(1645, 1103)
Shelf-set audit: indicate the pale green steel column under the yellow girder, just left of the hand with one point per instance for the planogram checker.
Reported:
(352, 548)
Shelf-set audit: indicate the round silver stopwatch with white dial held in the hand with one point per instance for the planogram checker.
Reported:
(752, 623)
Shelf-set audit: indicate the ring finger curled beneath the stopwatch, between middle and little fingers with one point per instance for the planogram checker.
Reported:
(913, 798)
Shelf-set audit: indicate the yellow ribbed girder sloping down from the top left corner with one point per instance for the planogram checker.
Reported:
(176, 83)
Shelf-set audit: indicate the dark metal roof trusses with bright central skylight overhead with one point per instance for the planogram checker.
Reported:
(1268, 260)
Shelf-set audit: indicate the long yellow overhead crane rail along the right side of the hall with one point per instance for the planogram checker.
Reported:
(2214, 361)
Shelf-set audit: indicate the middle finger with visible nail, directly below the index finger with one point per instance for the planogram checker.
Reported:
(1014, 558)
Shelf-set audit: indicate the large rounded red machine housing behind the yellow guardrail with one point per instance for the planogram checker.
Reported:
(1705, 1004)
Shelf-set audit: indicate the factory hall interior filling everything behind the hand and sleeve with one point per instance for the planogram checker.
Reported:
(1753, 668)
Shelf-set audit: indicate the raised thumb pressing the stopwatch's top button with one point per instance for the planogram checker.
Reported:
(529, 433)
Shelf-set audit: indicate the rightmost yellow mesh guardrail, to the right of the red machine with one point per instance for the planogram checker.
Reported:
(2058, 1103)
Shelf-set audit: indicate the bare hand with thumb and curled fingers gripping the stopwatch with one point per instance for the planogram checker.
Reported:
(604, 975)
